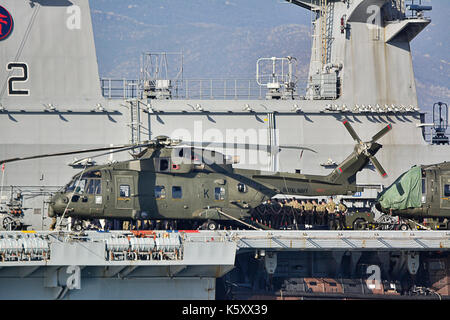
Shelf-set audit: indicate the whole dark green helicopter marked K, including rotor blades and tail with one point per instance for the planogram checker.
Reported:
(176, 180)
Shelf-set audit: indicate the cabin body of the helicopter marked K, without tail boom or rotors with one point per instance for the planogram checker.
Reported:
(141, 193)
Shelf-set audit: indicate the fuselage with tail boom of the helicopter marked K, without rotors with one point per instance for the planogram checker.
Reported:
(151, 189)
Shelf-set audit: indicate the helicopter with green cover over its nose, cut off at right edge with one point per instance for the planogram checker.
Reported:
(422, 194)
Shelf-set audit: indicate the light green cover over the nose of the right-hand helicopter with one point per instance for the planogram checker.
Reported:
(405, 192)
